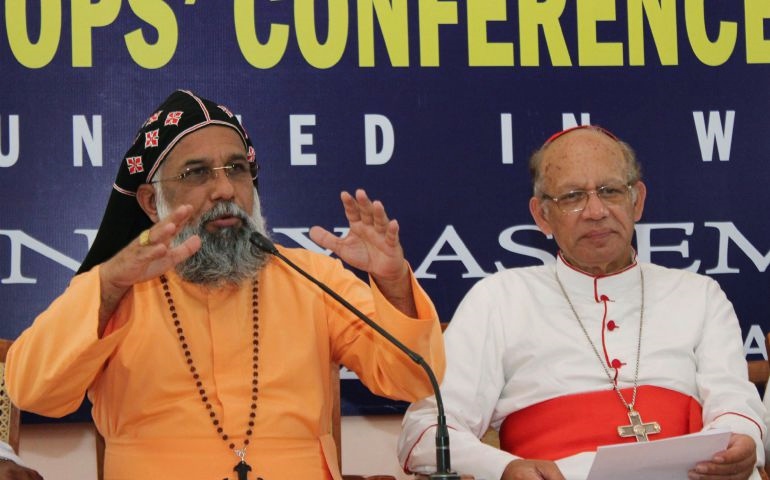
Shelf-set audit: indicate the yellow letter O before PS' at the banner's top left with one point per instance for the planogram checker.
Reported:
(33, 54)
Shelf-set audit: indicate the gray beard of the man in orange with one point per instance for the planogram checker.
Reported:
(226, 255)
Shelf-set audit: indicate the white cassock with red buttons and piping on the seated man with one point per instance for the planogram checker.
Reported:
(514, 342)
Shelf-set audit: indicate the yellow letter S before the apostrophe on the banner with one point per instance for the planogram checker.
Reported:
(159, 15)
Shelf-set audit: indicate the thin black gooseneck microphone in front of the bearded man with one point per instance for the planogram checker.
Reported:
(443, 463)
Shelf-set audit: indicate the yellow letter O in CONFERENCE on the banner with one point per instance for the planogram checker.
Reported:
(321, 55)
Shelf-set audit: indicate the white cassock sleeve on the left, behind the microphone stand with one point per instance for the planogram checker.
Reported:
(471, 388)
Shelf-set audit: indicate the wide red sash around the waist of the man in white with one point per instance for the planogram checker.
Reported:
(564, 426)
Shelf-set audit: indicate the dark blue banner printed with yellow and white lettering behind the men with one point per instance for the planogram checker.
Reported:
(432, 106)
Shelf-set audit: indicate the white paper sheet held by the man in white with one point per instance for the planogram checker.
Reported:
(667, 459)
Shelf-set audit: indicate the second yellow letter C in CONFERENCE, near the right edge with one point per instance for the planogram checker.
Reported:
(711, 53)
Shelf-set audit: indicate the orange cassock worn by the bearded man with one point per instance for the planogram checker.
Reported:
(146, 403)
